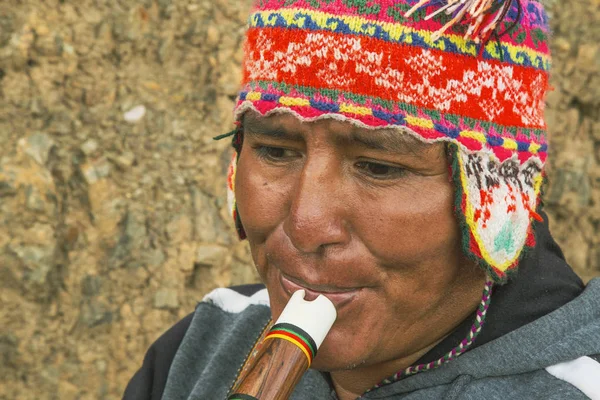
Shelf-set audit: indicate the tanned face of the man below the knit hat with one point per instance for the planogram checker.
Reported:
(364, 216)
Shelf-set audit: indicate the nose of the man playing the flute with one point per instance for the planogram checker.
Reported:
(316, 217)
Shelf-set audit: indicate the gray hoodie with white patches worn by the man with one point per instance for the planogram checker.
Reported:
(531, 362)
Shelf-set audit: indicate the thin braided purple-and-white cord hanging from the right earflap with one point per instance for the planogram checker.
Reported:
(464, 345)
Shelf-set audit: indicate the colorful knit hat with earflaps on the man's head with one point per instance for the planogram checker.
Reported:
(472, 73)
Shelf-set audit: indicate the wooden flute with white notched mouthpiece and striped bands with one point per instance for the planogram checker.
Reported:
(286, 351)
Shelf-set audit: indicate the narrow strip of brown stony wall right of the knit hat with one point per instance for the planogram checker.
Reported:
(573, 196)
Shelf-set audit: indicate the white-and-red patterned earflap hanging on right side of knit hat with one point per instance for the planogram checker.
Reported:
(495, 203)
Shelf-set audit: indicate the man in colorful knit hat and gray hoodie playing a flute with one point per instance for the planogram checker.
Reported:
(390, 155)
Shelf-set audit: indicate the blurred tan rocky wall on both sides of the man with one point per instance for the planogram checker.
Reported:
(113, 221)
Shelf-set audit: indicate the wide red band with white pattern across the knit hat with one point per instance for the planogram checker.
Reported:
(450, 91)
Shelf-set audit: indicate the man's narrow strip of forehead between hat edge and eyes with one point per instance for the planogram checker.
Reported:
(289, 126)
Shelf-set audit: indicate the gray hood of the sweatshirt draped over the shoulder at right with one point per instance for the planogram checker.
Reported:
(565, 334)
